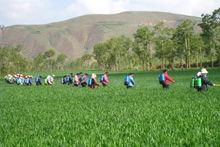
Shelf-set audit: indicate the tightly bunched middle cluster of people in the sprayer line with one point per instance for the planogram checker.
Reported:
(84, 80)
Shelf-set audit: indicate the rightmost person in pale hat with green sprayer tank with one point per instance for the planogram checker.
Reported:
(202, 80)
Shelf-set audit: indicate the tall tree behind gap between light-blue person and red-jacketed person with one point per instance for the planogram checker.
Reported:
(142, 43)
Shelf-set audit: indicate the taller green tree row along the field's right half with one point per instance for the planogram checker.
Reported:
(189, 44)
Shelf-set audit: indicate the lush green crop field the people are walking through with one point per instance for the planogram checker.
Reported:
(62, 115)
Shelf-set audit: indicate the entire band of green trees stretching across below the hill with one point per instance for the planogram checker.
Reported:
(151, 47)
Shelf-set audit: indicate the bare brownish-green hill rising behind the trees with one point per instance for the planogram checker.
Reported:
(75, 37)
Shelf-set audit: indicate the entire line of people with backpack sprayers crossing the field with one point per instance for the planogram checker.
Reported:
(199, 81)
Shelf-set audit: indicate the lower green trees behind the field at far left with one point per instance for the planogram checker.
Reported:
(12, 60)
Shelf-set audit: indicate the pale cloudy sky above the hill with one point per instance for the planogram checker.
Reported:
(14, 12)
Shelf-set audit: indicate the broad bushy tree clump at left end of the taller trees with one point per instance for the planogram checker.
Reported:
(113, 54)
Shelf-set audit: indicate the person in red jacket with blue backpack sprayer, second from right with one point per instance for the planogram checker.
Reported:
(164, 79)
